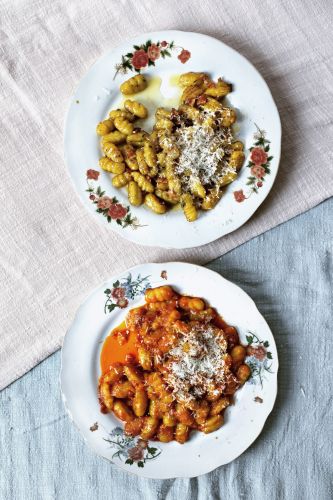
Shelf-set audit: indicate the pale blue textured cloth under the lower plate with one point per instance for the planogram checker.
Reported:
(288, 272)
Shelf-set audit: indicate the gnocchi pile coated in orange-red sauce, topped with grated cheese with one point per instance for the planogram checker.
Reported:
(187, 365)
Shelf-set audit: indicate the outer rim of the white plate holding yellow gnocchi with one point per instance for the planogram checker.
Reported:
(127, 235)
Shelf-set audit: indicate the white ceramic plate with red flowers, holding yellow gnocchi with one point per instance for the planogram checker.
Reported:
(98, 92)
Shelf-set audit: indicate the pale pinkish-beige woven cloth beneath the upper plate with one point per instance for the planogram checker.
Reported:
(51, 251)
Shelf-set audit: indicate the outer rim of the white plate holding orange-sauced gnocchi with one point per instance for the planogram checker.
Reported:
(61, 374)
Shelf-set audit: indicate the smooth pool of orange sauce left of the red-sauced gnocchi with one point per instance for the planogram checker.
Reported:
(118, 345)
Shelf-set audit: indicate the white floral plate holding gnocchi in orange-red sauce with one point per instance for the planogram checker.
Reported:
(107, 307)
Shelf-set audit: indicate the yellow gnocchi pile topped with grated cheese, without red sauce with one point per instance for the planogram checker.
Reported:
(189, 156)
